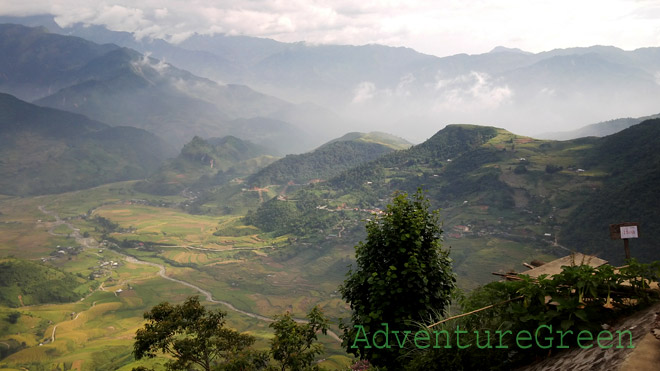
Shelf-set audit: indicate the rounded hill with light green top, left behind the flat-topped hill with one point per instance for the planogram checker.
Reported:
(329, 159)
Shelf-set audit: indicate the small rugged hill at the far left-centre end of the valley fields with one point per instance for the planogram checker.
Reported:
(205, 163)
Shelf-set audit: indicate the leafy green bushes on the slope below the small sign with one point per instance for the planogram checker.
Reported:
(580, 298)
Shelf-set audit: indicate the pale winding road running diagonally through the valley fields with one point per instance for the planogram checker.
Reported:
(93, 244)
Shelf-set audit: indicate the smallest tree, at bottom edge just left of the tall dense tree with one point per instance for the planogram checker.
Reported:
(294, 344)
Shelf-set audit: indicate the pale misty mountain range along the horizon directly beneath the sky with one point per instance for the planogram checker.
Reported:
(399, 90)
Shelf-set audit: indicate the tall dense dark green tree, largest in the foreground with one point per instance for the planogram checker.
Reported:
(402, 276)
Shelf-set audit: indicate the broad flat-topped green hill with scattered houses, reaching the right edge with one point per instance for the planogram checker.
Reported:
(491, 183)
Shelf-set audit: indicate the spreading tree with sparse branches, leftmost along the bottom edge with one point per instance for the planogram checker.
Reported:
(193, 336)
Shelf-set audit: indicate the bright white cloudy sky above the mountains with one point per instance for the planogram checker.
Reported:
(437, 27)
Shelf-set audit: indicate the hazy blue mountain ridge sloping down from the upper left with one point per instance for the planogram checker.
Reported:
(123, 87)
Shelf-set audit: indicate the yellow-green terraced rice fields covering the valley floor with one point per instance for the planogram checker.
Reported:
(96, 332)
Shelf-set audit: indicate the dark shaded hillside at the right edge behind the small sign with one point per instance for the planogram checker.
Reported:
(630, 192)
